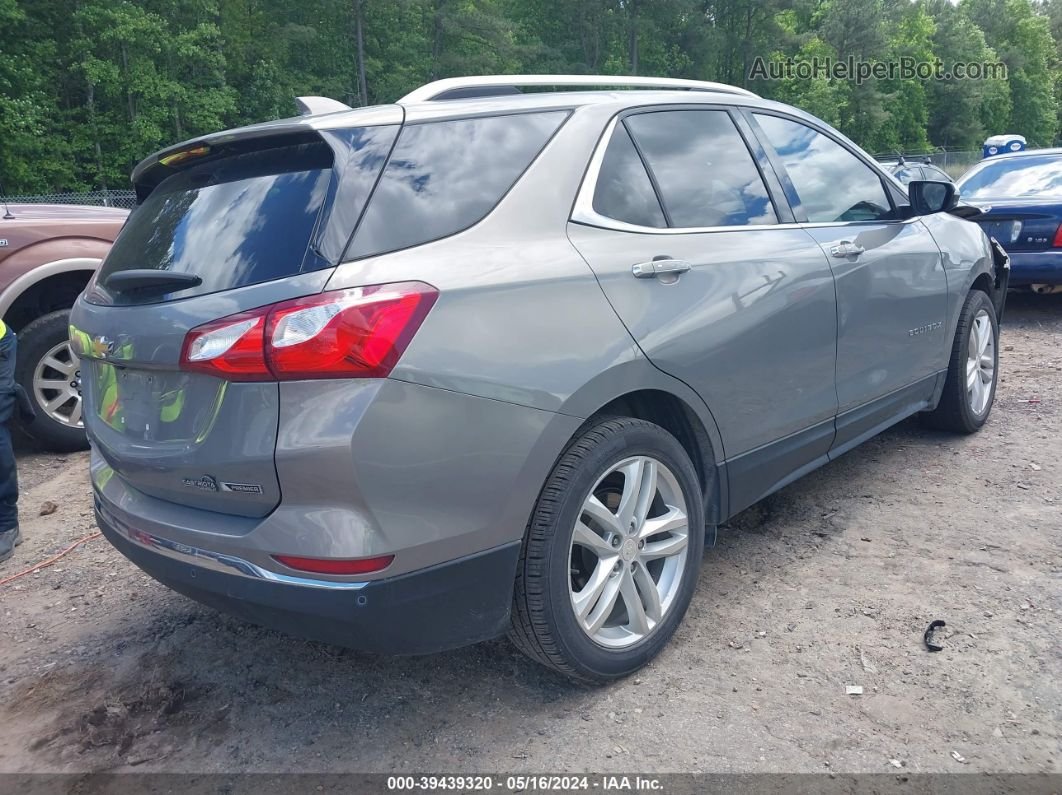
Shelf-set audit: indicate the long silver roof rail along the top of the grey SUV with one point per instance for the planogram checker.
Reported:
(493, 85)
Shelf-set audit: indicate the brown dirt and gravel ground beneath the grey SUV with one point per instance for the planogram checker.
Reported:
(828, 584)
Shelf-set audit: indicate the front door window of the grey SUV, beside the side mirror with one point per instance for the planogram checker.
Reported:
(833, 184)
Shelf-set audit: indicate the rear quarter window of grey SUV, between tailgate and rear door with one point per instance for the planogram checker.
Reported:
(448, 176)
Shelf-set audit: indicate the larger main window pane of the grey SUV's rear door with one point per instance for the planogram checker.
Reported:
(705, 171)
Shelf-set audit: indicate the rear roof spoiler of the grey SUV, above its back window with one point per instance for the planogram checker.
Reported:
(155, 169)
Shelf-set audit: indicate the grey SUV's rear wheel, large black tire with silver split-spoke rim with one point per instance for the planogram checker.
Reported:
(612, 554)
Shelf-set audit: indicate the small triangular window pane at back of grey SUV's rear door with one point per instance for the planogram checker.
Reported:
(624, 192)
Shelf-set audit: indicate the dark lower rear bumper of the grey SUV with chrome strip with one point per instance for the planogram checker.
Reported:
(441, 608)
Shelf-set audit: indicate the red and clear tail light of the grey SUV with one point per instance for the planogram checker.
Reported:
(347, 334)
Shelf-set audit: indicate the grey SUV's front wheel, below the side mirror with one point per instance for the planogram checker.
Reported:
(972, 372)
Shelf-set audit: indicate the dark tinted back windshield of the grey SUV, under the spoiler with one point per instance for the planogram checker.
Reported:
(254, 217)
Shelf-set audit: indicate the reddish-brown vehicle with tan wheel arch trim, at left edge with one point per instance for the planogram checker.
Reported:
(48, 253)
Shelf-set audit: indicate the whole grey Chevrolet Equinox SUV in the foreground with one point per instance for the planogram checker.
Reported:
(410, 377)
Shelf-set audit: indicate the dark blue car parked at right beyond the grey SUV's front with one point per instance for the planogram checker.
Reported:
(1022, 197)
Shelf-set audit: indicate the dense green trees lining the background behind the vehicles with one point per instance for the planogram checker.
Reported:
(89, 88)
